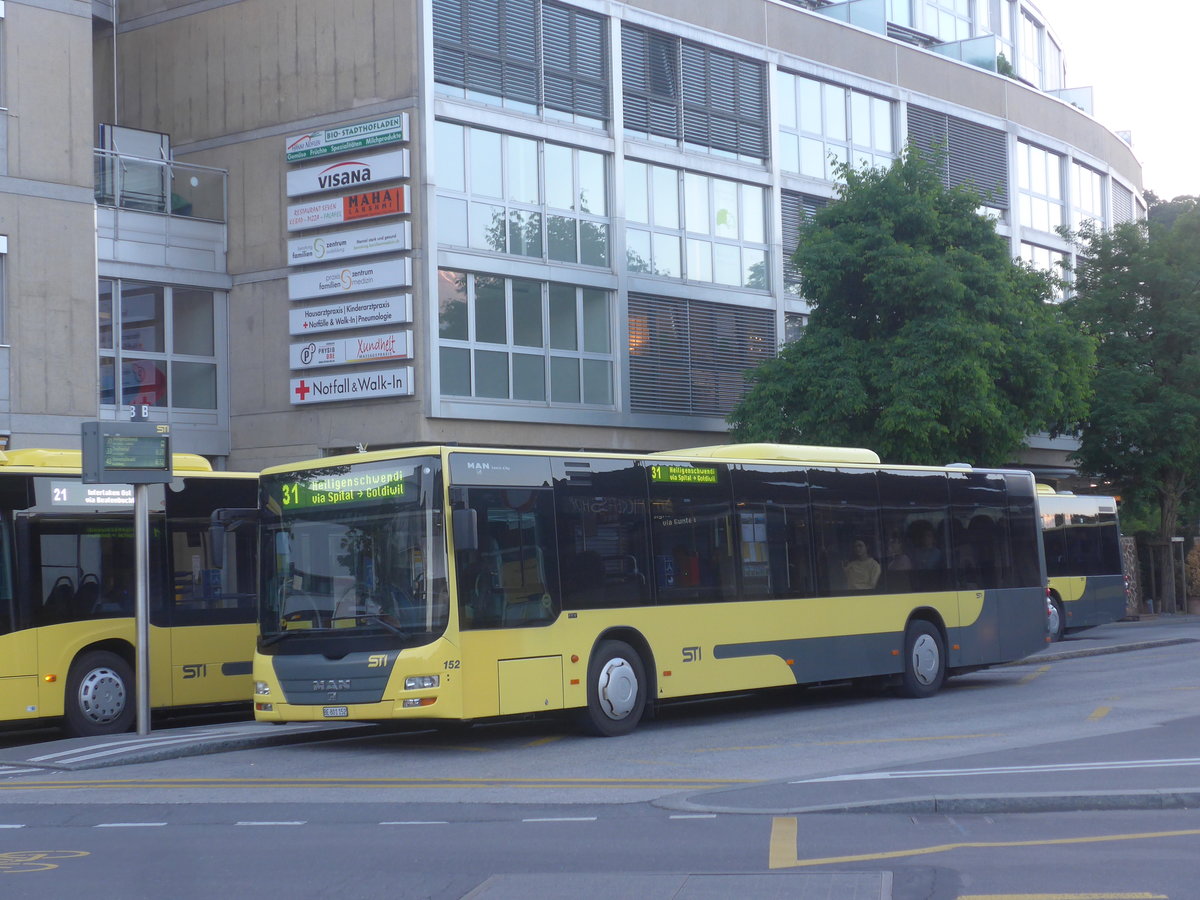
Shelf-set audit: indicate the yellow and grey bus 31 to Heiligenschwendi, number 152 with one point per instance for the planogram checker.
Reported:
(464, 584)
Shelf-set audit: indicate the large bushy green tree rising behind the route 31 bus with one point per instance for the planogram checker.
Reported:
(927, 341)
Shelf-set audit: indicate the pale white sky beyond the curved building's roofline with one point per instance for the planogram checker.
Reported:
(1141, 58)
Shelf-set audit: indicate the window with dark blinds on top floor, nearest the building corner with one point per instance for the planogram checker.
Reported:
(524, 55)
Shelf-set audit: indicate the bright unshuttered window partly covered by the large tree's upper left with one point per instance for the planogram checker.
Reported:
(821, 125)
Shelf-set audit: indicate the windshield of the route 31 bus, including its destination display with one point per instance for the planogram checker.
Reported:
(352, 550)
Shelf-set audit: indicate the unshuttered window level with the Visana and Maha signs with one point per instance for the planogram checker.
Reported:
(524, 197)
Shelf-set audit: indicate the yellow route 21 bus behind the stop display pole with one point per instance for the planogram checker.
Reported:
(68, 583)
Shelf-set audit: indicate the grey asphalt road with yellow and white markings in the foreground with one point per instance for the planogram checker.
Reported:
(1071, 775)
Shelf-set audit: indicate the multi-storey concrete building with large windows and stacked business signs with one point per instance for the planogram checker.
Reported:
(295, 227)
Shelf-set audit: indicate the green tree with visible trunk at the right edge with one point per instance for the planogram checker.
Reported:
(1138, 293)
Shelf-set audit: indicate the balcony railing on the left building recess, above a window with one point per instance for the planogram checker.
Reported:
(171, 189)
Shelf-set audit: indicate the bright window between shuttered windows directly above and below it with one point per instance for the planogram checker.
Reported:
(695, 227)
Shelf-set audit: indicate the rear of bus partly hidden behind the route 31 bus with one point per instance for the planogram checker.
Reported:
(1088, 585)
